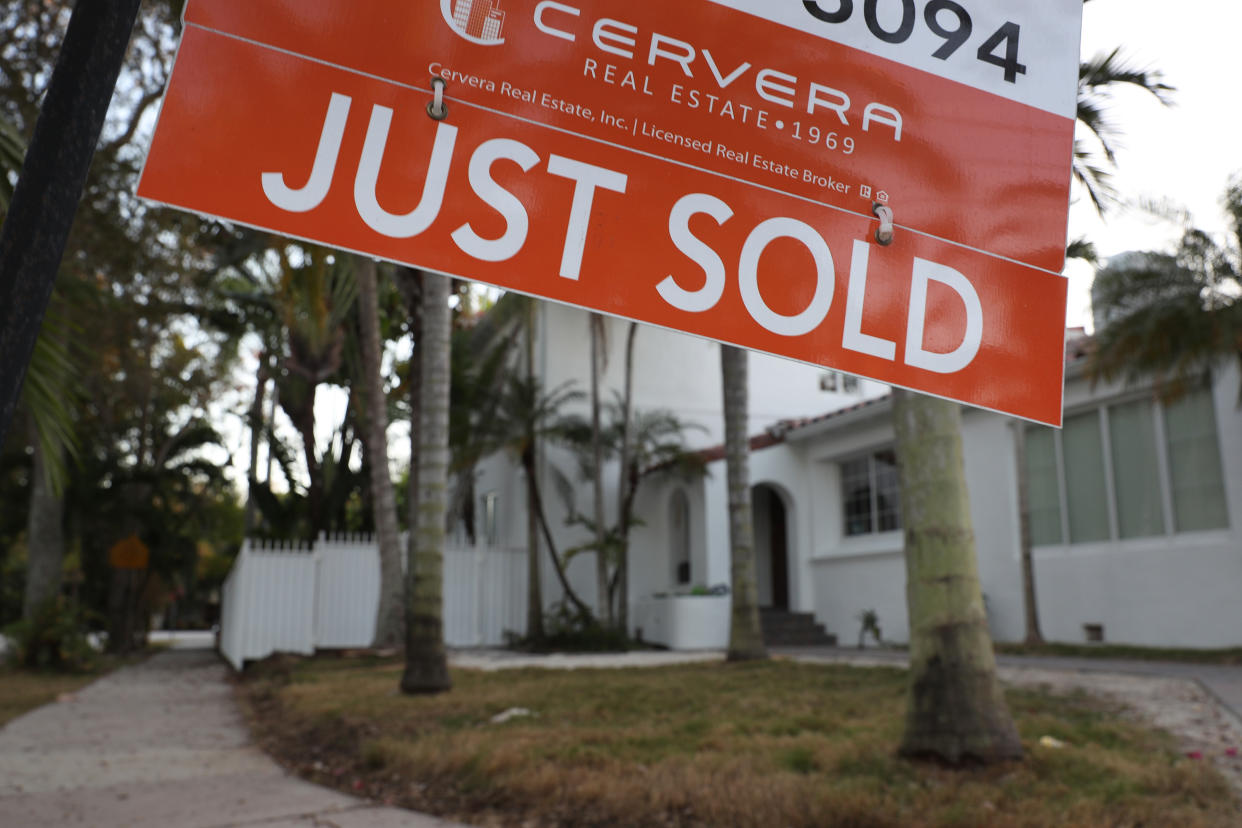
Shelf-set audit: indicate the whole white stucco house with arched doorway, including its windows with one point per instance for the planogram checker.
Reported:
(1136, 505)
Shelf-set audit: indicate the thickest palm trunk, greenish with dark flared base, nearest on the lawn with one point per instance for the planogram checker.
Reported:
(957, 711)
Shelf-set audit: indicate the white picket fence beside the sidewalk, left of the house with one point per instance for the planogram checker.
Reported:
(299, 598)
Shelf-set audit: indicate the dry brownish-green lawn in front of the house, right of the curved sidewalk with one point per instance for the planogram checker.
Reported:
(776, 744)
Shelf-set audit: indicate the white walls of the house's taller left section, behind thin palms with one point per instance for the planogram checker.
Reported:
(673, 372)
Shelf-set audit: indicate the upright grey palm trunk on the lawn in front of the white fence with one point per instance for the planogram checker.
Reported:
(427, 665)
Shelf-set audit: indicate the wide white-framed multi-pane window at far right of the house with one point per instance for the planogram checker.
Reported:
(1135, 469)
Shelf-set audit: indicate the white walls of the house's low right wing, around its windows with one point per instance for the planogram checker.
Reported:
(1177, 590)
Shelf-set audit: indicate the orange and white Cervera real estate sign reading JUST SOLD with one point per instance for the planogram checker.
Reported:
(706, 167)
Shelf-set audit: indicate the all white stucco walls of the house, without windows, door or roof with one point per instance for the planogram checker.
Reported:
(1174, 590)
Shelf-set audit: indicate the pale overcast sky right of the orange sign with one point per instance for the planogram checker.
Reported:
(1184, 153)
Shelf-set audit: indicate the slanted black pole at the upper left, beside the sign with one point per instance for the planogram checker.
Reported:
(59, 158)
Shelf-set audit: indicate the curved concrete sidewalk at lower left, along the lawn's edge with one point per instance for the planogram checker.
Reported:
(162, 745)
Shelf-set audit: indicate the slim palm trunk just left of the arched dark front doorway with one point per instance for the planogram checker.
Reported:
(746, 635)
